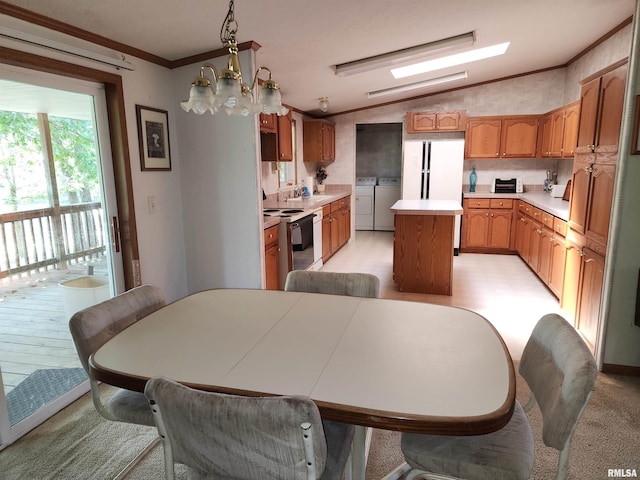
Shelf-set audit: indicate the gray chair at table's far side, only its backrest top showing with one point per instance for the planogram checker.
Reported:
(335, 283)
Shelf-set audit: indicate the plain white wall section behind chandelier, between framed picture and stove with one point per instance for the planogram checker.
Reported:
(221, 208)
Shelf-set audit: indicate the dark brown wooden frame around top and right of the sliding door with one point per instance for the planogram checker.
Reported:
(118, 142)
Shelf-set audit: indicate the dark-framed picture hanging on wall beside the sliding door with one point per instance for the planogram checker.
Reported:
(153, 138)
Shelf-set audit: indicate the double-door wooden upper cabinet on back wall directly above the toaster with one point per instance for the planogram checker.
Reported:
(502, 137)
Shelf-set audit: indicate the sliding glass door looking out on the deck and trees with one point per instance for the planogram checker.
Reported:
(58, 238)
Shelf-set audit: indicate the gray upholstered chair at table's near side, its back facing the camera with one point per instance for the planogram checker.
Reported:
(220, 436)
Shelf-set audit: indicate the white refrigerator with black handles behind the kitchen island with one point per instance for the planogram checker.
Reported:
(432, 169)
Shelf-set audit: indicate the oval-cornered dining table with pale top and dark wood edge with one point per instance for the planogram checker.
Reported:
(375, 363)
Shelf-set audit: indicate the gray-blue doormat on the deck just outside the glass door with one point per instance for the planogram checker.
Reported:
(41, 388)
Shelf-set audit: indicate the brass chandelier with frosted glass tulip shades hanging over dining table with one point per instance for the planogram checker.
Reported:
(229, 92)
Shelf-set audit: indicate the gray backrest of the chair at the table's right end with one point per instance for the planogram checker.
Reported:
(561, 372)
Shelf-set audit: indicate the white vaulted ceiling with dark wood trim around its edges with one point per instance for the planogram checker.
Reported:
(301, 41)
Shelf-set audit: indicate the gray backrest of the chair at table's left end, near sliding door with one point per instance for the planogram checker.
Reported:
(94, 326)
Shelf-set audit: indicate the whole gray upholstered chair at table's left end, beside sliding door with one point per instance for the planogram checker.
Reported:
(93, 327)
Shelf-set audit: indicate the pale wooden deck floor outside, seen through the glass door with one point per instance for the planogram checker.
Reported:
(34, 331)
